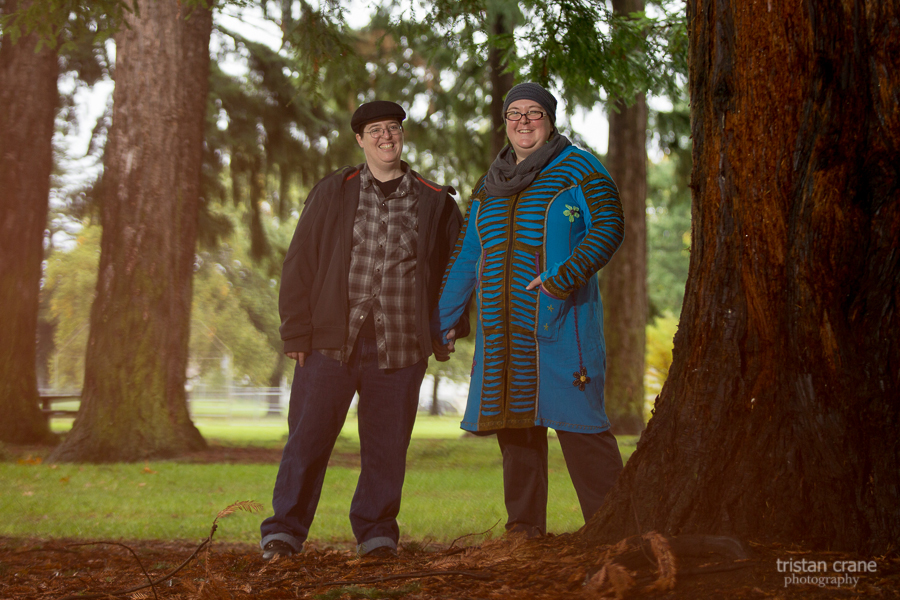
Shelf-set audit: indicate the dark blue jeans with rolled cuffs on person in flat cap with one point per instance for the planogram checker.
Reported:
(320, 398)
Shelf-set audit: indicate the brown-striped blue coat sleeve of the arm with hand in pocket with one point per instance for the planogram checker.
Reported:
(605, 223)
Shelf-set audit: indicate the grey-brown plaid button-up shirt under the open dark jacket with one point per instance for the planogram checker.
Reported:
(382, 275)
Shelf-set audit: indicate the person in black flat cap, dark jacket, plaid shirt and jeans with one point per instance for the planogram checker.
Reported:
(359, 284)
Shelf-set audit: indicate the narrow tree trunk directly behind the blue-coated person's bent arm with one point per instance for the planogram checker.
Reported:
(624, 280)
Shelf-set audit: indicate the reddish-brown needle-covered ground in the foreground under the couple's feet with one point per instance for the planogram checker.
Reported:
(552, 567)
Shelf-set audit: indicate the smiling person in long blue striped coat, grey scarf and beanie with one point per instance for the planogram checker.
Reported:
(542, 222)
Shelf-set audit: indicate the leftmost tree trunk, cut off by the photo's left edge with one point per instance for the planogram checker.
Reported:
(28, 102)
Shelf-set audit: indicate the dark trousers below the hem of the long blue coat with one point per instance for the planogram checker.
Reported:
(593, 461)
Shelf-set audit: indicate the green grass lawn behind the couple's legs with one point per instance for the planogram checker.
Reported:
(453, 488)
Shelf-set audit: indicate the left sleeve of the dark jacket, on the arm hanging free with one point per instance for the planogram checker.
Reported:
(297, 274)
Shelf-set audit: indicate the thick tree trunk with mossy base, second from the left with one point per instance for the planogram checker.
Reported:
(134, 404)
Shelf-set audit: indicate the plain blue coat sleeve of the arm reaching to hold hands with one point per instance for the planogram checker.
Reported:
(459, 279)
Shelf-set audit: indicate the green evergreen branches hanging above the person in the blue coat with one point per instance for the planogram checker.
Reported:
(581, 45)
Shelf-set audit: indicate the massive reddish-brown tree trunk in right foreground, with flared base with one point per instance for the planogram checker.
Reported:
(780, 419)
